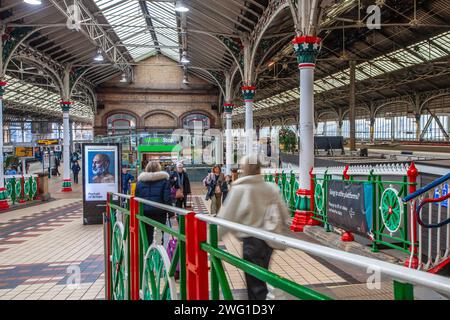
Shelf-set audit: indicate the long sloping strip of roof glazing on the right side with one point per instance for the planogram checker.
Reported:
(421, 52)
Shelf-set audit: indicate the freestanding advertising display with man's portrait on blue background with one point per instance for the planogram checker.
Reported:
(101, 174)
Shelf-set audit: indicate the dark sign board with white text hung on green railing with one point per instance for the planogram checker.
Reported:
(349, 206)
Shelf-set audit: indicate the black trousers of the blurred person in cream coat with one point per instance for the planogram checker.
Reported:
(258, 252)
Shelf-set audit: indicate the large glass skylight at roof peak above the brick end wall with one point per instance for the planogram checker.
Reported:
(129, 23)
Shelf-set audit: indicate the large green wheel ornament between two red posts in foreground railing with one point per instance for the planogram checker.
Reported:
(156, 282)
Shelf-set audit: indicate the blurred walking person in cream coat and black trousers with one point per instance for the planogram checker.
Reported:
(256, 203)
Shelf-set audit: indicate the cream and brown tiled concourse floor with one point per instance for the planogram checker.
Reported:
(45, 249)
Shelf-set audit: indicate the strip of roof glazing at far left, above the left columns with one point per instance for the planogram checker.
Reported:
(36, 97)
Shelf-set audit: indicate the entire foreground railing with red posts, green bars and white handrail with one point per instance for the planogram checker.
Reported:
(139, 270)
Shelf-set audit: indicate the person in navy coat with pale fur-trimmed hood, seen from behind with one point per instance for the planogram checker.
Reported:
(154, 185)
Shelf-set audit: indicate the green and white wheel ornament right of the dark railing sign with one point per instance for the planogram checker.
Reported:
(391, 209)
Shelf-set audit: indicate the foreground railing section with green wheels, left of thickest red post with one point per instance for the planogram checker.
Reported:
(136, 268)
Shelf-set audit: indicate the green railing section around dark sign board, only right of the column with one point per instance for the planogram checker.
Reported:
(390, 219)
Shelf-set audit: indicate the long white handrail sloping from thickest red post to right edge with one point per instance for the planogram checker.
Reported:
(397, 272)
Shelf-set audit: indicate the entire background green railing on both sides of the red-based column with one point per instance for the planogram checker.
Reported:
(391, 224)
